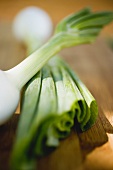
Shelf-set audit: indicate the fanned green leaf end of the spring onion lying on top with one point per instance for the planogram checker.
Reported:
(83, 26)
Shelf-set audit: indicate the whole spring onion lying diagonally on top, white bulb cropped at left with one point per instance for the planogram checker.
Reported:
(76, 29)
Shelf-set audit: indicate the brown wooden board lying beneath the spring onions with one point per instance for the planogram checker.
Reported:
(90, 150)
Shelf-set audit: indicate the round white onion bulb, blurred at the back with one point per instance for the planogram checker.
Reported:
(32, 26)
